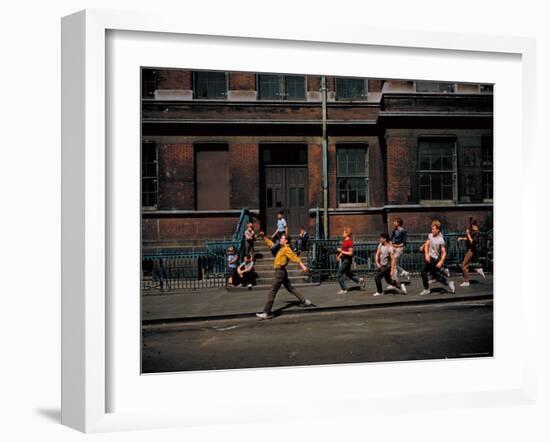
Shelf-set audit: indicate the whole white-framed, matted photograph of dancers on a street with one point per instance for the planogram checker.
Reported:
(247, 215)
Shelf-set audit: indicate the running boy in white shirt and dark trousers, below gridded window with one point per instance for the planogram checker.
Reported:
(435, 254)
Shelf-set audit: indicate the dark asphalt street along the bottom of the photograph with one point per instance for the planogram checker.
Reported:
(394, 333)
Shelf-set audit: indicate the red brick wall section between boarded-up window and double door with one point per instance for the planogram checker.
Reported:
(244, 176)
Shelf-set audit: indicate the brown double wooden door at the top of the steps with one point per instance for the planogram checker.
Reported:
(286, 191)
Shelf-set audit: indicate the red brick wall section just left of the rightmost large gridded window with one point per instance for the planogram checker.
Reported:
(399, 182)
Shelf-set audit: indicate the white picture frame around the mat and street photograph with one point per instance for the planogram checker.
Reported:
(87, 208)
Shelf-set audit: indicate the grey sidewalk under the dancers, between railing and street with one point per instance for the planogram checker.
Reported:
(221, 304)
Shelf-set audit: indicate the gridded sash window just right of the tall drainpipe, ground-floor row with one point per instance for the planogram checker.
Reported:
(352, 174)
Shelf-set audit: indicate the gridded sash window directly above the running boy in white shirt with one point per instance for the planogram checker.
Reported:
(436, 168)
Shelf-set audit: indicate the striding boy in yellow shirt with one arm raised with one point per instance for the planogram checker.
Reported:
(284, 254)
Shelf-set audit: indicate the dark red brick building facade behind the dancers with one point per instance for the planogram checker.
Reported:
(216, 142)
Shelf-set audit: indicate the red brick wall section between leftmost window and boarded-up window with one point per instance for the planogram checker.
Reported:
(176, 177)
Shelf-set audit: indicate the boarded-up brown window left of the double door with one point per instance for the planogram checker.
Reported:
(212, 176)
